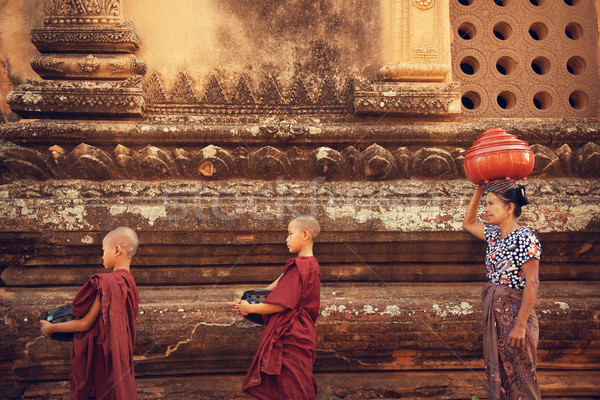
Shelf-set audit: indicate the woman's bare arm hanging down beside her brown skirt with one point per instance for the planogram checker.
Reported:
(531, 268)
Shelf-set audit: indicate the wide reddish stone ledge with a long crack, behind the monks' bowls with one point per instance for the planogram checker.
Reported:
(362, 327)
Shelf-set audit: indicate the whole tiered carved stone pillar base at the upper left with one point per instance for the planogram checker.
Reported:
(83, 40)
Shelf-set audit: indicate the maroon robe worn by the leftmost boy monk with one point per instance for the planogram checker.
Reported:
(102, 357)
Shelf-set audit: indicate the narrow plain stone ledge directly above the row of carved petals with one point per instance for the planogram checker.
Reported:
(199, 132)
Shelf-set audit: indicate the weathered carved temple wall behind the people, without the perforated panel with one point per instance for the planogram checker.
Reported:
(206, 126)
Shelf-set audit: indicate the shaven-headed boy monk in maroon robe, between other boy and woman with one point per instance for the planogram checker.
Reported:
(283, 365)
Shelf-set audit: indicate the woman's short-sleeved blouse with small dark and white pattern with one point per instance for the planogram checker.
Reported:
(504, 257)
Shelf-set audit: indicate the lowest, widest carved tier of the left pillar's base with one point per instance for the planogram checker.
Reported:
(124, 98)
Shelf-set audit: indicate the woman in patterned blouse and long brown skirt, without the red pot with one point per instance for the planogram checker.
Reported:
(511, 328)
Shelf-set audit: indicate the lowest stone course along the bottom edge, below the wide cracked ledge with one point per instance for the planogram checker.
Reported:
(342, 386)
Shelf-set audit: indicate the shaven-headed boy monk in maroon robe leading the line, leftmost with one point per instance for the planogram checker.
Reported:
(104, 309)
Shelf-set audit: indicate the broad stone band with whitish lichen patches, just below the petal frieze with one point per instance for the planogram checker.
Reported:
(559, 205)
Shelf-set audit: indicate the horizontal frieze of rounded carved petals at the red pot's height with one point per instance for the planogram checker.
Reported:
(268, 162)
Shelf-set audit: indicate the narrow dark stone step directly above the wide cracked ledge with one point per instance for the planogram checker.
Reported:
(36, 275)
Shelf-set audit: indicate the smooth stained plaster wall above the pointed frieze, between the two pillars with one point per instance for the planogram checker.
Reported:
(233, 37)
